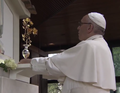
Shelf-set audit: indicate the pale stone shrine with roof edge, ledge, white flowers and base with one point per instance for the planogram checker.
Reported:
(10, 79)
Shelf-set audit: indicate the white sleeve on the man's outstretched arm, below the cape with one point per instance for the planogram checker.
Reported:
(44, 66)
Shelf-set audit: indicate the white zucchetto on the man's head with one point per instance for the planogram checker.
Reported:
(98, 19)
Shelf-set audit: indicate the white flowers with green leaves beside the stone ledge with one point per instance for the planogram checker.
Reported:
(8, 64)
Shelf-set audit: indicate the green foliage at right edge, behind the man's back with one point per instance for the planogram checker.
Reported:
(116, 59)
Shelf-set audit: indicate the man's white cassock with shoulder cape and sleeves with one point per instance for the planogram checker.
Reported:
(88, 66)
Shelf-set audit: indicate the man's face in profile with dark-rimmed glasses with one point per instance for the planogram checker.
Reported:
(83, 28)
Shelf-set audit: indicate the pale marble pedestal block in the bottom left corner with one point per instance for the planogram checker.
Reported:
(8, 85)
